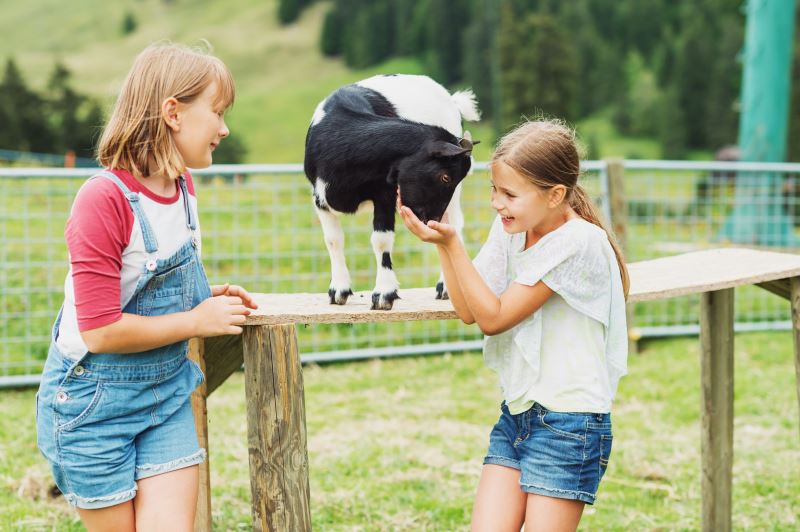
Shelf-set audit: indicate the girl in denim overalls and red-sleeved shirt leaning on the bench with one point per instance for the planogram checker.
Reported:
(114, 416)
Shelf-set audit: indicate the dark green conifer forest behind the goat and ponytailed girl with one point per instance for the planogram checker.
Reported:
(660, 69)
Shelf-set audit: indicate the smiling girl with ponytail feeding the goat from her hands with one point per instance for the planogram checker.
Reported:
(548, 290)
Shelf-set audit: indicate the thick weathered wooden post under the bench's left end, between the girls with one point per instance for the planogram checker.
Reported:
(276, 429)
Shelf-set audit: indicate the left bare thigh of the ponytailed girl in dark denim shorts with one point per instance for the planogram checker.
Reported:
(499, 503)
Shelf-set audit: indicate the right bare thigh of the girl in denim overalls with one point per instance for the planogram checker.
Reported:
(168, 502)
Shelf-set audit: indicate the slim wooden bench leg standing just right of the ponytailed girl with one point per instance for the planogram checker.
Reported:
(716, 340)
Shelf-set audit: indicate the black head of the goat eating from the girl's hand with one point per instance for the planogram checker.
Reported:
(428, 178)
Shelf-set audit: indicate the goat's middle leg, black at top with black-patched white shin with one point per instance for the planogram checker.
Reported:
(386, 285)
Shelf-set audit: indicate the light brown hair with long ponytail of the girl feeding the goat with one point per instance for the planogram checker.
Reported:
(546, 153)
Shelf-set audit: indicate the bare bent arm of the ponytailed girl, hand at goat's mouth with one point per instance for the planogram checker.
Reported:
(492, 314)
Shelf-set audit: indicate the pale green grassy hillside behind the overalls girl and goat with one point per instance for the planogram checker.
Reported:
(279, 72)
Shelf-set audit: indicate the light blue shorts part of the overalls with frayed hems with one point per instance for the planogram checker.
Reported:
(102, 426)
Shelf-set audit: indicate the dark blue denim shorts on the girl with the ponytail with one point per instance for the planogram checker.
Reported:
(558, 454)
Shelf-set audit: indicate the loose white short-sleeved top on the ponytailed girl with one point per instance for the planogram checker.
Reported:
(570, 354)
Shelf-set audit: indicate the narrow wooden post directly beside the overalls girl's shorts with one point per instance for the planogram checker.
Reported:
(202, 522)
